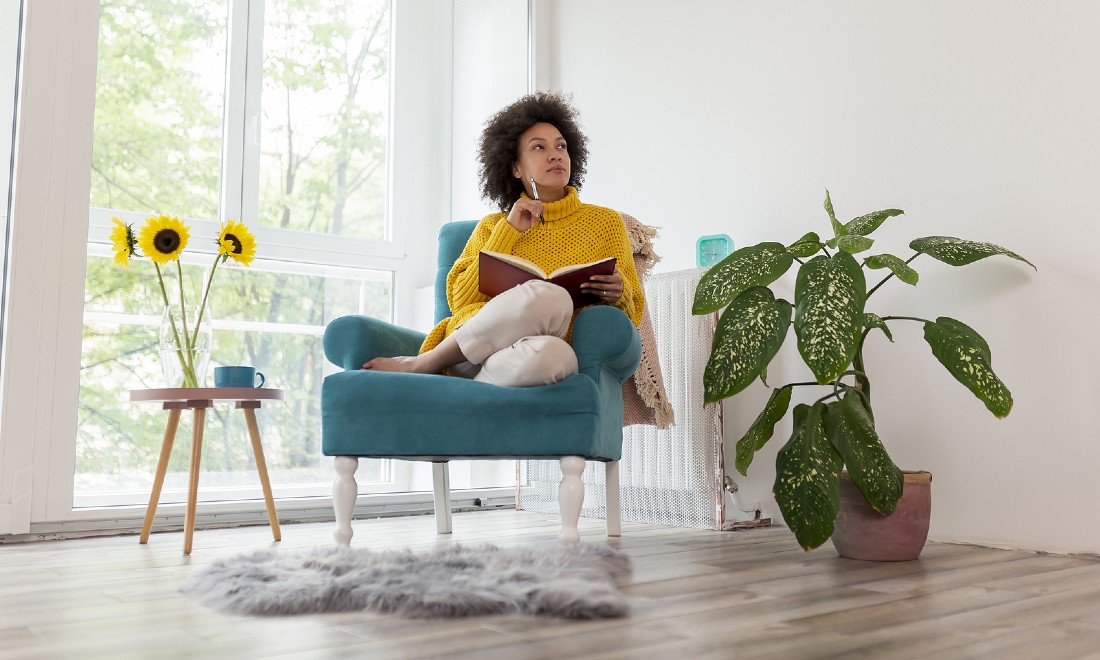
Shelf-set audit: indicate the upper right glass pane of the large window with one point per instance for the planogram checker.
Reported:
(323, 152)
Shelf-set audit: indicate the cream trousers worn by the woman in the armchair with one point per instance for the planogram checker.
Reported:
(518, 339)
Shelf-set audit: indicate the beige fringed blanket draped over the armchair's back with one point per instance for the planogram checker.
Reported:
(644, 397)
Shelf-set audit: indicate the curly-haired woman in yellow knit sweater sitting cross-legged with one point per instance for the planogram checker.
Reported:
(533, 162)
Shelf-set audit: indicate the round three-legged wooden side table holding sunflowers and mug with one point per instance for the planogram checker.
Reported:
(197, 400)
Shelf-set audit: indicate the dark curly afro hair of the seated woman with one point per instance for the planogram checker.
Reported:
(500, 144)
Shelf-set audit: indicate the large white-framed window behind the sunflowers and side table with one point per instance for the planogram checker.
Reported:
(274, 114)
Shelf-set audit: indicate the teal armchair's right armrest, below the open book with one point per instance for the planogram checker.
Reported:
(604, 338)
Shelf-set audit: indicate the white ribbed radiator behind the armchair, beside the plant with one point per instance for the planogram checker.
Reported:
(669, 477)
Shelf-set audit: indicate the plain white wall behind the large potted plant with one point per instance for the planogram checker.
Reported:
(980, 119)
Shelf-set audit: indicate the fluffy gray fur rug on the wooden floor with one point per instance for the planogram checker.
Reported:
(452, 581)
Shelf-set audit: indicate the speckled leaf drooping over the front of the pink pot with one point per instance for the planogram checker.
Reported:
(852, 432)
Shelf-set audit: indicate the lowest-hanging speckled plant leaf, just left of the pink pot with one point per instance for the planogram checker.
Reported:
(808, 475)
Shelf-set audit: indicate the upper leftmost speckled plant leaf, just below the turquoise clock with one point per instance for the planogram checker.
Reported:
(756, 266)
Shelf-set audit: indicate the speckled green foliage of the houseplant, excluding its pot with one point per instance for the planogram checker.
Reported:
(832, 325)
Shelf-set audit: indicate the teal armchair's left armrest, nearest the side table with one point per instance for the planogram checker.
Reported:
(353, 340)
